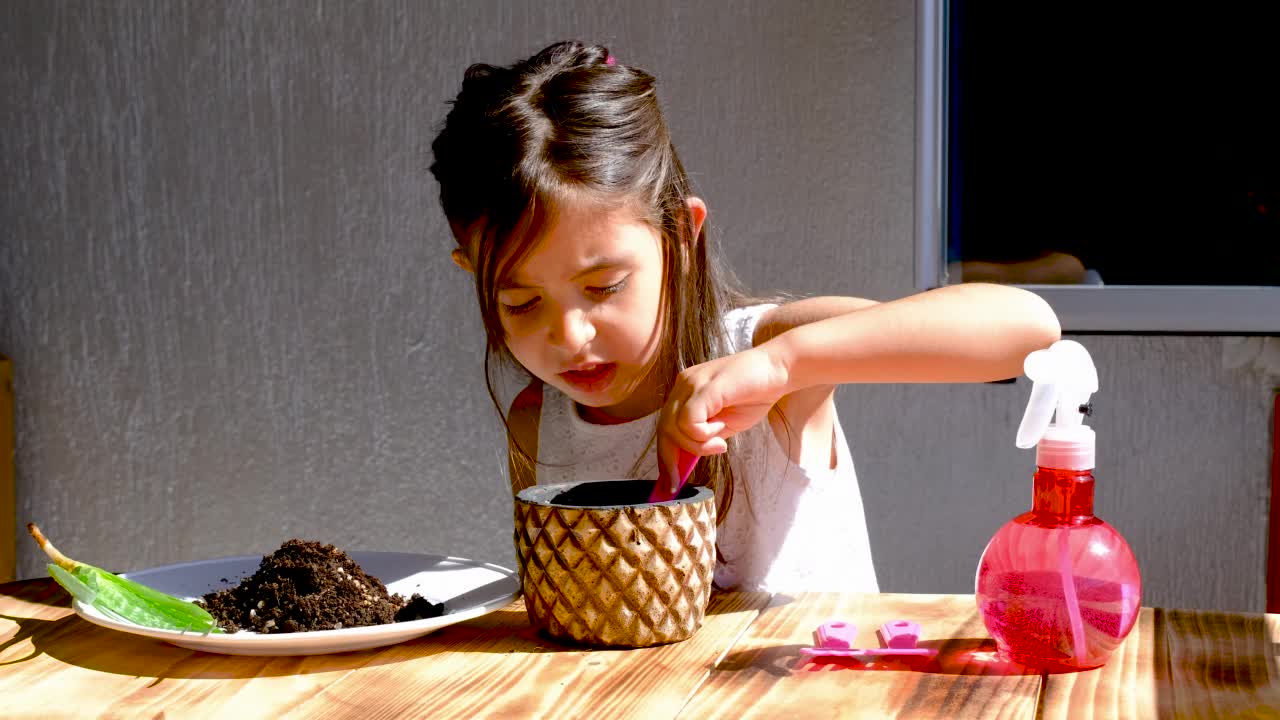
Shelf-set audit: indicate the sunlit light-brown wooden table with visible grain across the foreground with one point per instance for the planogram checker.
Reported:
(744, 662)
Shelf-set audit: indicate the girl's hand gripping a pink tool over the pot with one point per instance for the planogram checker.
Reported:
(717, 400)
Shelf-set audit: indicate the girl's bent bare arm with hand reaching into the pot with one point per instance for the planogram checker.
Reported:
(803, 350)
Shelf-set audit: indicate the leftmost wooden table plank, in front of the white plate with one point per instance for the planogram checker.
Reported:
(56, 666)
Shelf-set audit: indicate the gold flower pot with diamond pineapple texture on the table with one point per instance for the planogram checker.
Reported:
(602, 567)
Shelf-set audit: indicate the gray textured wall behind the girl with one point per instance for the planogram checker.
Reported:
(223, 281)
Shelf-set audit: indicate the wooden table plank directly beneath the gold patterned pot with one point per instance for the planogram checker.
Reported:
(499, 667)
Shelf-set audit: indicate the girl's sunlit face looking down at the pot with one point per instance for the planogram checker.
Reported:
(582, 312)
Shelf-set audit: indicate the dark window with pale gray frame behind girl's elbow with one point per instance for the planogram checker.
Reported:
(1121, 162)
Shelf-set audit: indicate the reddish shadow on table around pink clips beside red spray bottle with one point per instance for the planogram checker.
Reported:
(959, 657)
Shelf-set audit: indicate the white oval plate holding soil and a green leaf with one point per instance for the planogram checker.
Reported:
(468, 589)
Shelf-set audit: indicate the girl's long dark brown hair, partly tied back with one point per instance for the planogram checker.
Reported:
(570, 125)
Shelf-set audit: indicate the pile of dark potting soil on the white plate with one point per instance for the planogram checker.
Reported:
(308, 586)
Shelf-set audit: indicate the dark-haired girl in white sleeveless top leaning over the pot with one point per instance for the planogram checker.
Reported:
(595, 274)
